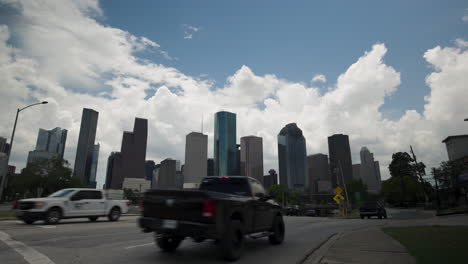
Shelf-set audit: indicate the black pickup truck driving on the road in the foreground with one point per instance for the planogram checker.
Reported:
(224, 209)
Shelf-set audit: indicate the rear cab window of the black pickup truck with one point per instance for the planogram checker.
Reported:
(235, 186)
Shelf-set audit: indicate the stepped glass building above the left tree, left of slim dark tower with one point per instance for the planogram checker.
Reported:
(49, 144)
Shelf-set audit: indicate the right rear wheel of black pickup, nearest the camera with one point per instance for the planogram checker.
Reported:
(232, 242)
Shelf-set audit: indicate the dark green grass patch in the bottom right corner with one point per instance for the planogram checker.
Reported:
(433, 244)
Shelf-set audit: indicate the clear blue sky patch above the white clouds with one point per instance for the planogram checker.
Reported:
(295, 40)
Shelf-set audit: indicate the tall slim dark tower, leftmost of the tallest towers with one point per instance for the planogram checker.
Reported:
(85, 147)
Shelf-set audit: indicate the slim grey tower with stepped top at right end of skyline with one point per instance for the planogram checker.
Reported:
(368, 172)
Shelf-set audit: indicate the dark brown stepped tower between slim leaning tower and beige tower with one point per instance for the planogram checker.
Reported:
(130, 161)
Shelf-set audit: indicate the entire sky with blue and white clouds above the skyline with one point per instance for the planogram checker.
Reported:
(388, 74)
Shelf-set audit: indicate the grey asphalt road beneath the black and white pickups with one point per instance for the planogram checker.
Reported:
(81, 241)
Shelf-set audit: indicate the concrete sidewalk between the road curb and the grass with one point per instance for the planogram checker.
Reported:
(362, 246)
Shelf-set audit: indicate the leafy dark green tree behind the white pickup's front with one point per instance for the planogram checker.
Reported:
(43, 177)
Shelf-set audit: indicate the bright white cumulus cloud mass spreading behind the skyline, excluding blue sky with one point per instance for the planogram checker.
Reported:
(54, 59)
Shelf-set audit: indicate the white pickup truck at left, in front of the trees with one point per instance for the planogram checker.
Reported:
(70, 203)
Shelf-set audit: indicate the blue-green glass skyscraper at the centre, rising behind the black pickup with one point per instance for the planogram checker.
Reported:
(225, 148)
